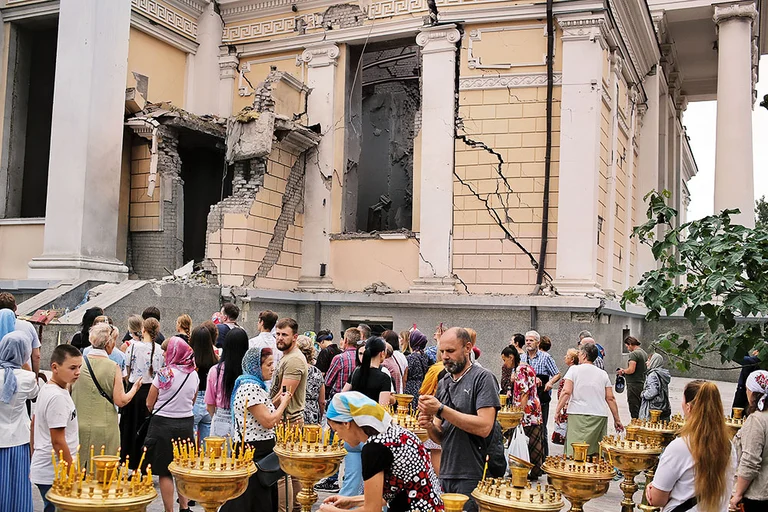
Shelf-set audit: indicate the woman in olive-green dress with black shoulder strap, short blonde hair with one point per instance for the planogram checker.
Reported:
(97, 416)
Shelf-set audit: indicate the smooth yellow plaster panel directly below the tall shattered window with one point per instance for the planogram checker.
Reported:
(394, 262)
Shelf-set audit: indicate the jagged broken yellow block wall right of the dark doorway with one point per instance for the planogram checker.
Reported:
(239, 247)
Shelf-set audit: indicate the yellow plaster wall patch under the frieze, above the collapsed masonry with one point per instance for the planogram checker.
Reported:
(259, 69)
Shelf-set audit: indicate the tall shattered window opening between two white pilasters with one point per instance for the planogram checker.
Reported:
(384, 118)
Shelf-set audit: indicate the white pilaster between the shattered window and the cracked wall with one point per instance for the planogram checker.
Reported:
(438, 49)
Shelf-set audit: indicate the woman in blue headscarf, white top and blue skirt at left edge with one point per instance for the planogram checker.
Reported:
(16, 387)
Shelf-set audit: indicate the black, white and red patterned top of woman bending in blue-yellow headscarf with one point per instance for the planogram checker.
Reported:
(410, 482)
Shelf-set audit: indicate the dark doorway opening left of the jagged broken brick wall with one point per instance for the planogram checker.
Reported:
(207, 180)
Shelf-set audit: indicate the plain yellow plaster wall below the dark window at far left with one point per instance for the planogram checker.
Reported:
(19, 243)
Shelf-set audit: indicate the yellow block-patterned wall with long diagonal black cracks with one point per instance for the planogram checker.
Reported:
(499, 172)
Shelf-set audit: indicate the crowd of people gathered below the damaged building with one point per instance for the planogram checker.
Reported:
(137, 393)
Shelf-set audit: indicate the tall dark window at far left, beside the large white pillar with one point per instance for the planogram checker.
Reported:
(29, 100)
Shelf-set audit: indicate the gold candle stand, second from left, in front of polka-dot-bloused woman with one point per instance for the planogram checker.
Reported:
(212, 477)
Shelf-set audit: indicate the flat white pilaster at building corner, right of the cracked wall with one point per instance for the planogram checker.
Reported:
(583, 45)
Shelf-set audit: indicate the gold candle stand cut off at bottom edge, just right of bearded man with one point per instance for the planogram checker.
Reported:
(516, 494)
